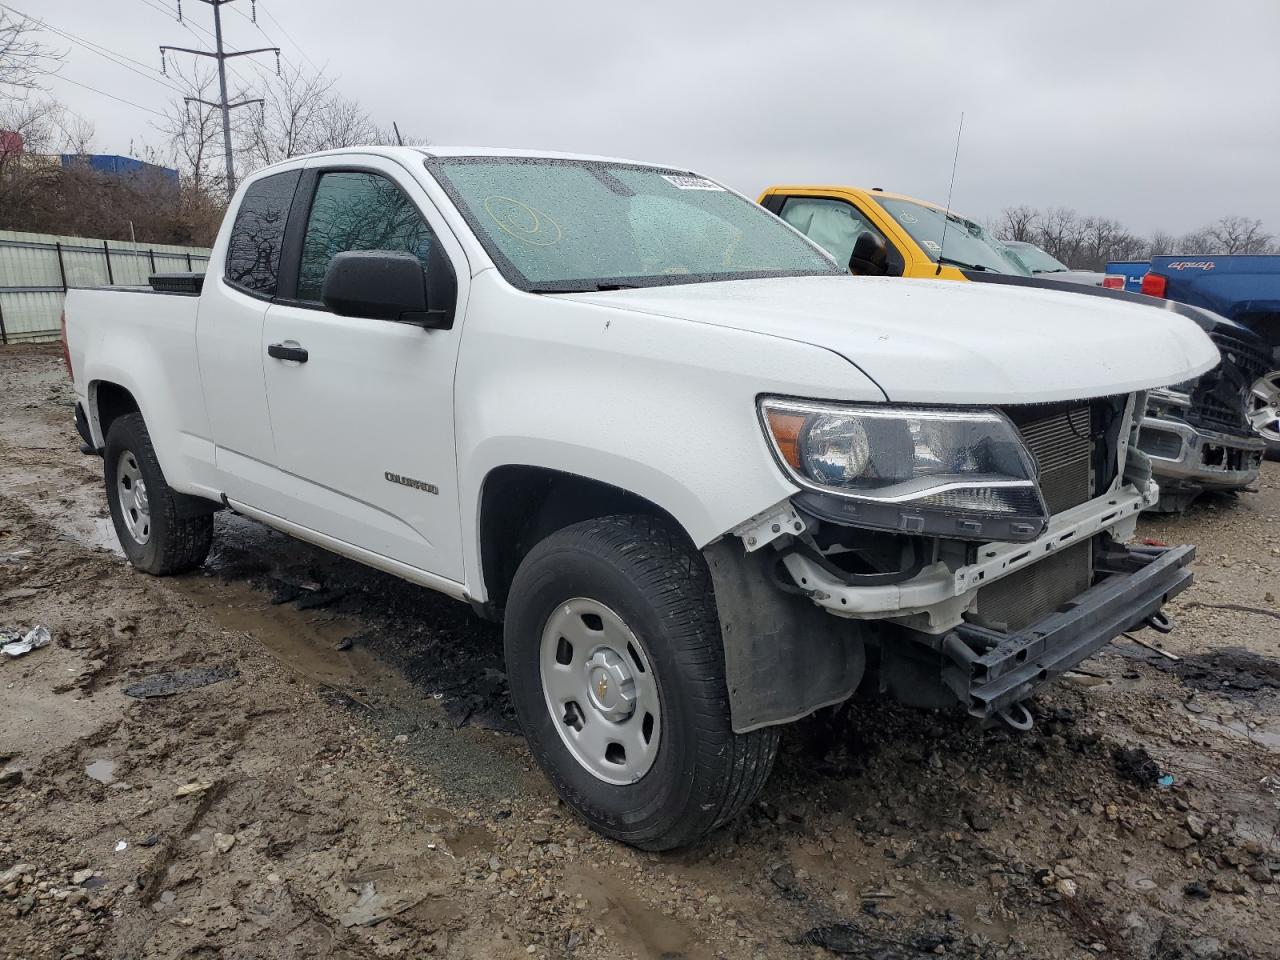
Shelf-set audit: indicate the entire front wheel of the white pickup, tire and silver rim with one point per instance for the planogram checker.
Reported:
(618, 674)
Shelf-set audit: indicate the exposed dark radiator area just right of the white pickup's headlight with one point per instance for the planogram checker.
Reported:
(1058, 436)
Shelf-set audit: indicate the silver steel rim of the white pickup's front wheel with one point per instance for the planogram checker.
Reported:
(601, 692)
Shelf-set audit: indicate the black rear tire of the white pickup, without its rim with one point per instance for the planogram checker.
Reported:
(176, 545)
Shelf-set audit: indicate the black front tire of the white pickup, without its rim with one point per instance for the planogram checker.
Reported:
(657, 582)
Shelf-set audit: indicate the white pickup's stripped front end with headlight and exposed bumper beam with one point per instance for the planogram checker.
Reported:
(953, 595)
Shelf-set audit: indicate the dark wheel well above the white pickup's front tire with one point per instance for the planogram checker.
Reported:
(522, 506)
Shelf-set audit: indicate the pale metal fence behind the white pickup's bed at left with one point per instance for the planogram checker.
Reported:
(36, 269)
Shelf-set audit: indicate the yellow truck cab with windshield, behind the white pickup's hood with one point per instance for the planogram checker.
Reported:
(890, 235)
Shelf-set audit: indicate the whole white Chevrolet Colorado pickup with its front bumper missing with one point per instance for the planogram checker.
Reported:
(708, 481)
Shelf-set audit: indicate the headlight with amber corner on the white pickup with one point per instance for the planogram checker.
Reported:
(939, 473)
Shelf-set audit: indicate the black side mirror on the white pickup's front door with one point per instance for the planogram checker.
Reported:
(385, 285)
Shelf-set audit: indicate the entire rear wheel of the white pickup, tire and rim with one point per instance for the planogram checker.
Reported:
(144, 509)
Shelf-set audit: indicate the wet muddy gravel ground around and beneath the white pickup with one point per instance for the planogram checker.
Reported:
(335, 772)
